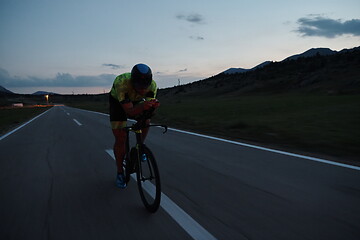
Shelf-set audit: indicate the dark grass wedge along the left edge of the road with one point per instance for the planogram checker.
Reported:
(10, 118)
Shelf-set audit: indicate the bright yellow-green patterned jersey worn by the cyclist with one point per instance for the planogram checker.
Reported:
(123, 91)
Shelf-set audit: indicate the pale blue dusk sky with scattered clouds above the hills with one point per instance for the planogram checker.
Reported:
(80, 46)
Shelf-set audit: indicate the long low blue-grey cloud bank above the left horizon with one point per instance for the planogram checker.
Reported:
(60, 80)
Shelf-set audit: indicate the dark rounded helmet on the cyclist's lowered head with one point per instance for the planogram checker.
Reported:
(141, 76)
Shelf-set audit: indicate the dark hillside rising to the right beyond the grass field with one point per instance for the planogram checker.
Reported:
(331, 73)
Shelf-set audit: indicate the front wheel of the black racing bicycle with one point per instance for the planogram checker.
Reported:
(148, 180)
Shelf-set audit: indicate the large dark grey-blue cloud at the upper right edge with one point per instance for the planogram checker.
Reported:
(315, 25)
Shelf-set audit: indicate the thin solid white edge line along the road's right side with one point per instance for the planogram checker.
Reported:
(261, 148)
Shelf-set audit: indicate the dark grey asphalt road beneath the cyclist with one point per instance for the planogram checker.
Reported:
(58, 182)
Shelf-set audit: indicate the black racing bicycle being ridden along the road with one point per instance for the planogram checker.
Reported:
(140, 160)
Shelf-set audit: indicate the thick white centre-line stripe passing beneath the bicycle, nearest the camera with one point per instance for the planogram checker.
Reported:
(193, 228)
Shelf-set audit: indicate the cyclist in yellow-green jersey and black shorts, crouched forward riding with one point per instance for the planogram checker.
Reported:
(131, 95)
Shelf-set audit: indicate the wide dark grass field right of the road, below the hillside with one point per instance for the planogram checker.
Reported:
(320, 124)
